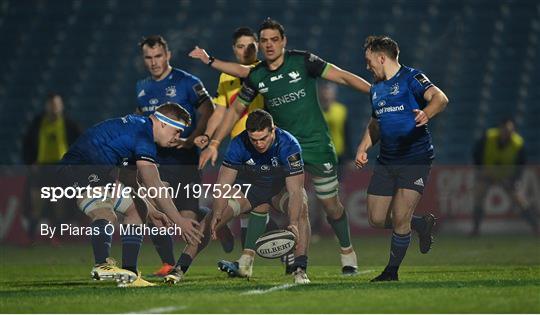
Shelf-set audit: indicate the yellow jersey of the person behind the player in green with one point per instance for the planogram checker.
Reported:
(227, 92)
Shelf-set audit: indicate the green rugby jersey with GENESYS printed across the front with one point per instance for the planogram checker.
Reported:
(290, 96)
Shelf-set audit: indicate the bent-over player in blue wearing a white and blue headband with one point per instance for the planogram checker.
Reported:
(92, 161)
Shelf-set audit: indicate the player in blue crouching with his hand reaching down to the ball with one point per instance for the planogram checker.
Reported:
(268, 158)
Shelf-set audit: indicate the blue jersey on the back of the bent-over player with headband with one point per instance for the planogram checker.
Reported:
(115, 142)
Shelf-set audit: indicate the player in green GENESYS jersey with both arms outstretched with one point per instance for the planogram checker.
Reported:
(287, 80)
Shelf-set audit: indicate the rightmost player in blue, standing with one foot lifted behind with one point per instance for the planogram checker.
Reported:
(403, 101)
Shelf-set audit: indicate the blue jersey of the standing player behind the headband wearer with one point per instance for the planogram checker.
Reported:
(179, 87)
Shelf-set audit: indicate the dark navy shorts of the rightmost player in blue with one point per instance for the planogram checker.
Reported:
(388, 178)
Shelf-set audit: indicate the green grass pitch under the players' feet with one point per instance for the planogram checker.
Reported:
(460, 275)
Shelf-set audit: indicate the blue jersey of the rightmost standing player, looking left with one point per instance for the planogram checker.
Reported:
(392, 104)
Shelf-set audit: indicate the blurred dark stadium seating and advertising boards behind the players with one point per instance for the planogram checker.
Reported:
(482, 53)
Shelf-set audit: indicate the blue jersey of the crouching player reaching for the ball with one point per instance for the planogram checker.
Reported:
(282, 159)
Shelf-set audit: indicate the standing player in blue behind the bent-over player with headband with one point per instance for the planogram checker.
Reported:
(179, 164)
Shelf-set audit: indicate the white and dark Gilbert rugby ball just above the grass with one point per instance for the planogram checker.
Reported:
(275, 244)
